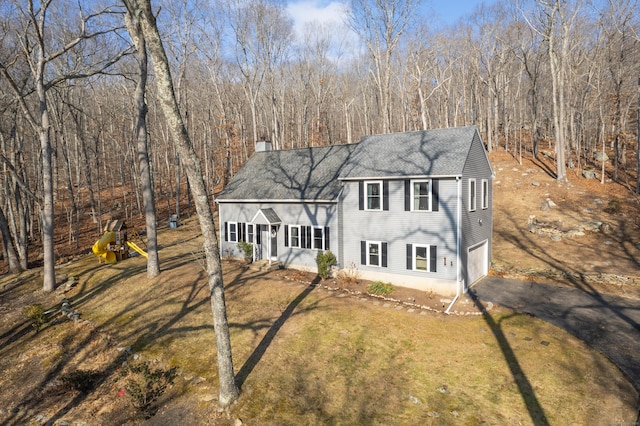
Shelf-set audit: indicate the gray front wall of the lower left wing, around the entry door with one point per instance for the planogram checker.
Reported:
(318, 215)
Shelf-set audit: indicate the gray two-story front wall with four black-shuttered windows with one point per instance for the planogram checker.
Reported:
(398, 228)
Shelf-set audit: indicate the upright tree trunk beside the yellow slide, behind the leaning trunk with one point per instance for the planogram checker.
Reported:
(148, 200)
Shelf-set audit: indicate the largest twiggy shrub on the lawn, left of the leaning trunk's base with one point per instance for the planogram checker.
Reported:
(146, 385)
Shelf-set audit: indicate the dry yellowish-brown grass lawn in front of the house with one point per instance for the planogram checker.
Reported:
(303, 354)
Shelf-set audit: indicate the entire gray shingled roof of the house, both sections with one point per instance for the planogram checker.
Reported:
(314, 174)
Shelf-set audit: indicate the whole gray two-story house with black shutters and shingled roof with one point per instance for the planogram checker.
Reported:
(414, 208)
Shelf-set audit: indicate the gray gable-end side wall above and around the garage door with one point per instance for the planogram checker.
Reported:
(477, 226)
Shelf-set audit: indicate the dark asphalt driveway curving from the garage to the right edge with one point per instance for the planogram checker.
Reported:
(609, 324)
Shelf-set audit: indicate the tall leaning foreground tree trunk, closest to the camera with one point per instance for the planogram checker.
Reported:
(228, 391)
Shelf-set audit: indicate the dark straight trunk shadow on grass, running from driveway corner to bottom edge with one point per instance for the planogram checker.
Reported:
(536, 412)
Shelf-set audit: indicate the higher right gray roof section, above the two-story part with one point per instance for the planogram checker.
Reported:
(438, 152)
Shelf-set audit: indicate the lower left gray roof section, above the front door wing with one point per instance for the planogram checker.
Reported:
(305, 174)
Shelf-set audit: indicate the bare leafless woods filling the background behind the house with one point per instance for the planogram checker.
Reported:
(546, 77)
